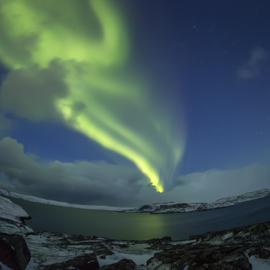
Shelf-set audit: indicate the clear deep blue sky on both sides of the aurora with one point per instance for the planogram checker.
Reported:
(191, 51)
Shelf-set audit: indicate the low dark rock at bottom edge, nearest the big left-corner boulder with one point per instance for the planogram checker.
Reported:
(84, 262)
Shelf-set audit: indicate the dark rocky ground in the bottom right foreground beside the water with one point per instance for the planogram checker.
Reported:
(224, 250)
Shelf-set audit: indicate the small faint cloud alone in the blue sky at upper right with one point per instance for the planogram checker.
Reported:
(254, 66)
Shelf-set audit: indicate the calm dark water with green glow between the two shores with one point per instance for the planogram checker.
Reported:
(139, 226)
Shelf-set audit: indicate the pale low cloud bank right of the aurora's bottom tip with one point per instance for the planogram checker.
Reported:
(213, 184)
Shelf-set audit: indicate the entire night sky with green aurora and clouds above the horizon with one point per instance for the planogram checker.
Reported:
(106, 102)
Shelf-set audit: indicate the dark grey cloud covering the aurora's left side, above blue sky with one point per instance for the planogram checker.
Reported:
(31, 93)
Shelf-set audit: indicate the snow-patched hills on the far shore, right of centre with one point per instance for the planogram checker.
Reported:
(174, 207)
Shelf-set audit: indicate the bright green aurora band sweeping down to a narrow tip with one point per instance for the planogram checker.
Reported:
(89, 40)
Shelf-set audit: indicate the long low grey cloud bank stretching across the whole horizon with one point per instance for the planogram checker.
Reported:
(111, 184)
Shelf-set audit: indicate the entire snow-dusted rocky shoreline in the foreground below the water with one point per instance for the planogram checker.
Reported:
(241, 248)
